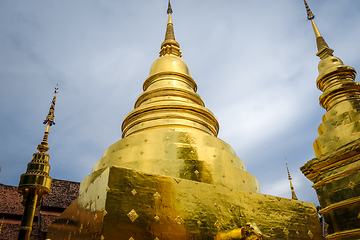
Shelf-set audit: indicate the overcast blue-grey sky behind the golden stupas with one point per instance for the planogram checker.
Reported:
(254, 63)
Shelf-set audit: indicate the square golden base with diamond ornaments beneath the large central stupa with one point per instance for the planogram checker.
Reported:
(126, 204)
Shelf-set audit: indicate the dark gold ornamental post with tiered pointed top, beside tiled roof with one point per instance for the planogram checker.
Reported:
(35, 182)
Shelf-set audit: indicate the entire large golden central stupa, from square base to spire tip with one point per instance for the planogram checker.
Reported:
(170, 177)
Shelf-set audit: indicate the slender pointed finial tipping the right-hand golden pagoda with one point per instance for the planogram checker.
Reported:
(324, 50)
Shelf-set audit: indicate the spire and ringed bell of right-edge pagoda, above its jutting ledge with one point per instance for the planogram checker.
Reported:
(340, 96)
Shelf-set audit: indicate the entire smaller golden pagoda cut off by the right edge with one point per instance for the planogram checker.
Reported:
(335, 169)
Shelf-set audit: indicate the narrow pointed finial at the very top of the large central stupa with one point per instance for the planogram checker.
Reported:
(170, 46)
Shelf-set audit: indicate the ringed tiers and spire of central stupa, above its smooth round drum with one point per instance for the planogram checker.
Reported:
(169, 98)
